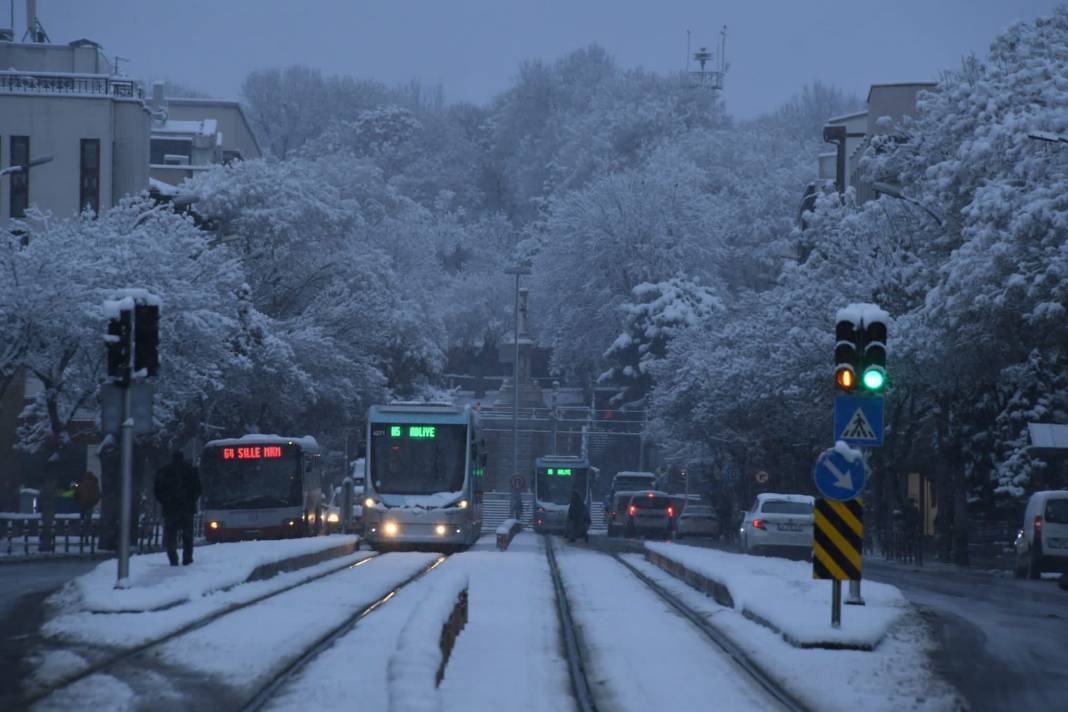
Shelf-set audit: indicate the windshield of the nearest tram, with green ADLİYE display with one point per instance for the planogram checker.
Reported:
(418, 460)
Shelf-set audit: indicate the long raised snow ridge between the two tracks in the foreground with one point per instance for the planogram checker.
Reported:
(414, 667)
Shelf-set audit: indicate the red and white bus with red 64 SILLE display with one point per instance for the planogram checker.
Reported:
(262, 487)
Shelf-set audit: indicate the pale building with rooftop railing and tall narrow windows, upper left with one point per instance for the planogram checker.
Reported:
(66, 106)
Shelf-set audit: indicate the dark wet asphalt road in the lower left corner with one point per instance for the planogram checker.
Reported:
(24, 588)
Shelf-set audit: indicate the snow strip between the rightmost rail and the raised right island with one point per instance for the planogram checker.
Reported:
(896, 676)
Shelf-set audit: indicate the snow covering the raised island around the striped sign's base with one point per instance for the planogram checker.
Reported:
(784, 594)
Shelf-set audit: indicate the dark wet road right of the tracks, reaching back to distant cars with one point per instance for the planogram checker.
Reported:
(1003, 642)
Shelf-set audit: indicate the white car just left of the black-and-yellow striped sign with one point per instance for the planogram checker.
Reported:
(778, 525)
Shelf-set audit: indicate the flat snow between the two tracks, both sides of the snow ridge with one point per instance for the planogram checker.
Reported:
(507, 658)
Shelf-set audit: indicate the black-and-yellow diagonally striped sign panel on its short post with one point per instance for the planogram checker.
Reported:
(838, 537)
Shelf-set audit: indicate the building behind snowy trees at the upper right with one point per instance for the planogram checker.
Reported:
(888, 105)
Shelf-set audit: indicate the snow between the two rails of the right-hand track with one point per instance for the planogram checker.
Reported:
(641, 655)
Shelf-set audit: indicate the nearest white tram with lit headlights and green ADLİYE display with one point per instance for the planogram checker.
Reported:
(420, 491)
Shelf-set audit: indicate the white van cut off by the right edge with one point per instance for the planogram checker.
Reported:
(1042, 545)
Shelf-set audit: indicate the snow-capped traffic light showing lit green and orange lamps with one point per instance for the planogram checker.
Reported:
(860, 350)
